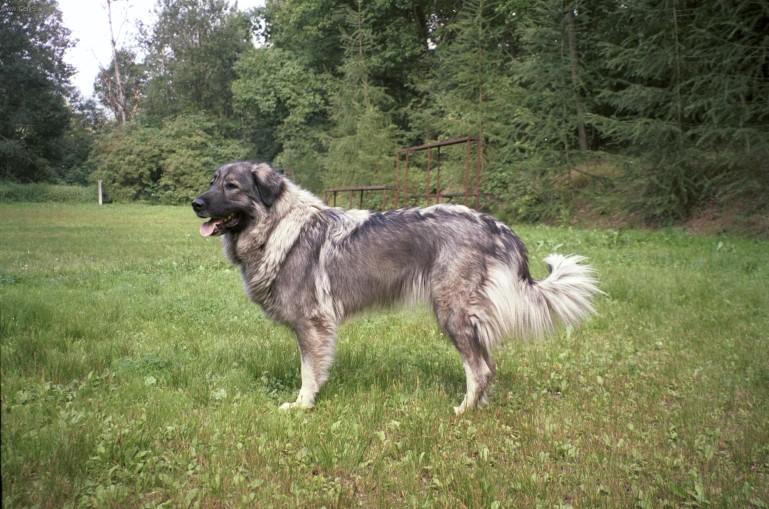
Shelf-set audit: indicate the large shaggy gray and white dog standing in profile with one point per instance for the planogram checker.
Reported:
(311, 266)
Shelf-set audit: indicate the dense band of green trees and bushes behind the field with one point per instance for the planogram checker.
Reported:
(657, 107)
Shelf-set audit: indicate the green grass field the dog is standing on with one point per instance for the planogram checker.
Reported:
(136, 374)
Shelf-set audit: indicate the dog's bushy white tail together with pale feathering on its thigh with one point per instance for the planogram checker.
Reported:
(529, 309)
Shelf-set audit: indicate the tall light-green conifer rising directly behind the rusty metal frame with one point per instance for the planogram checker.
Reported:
(472, 93)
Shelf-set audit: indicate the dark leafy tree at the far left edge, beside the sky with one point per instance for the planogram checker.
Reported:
(34, 86)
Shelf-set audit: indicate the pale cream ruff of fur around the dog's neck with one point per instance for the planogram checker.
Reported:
(261, 249)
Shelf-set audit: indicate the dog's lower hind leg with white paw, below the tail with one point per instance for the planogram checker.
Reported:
(462, 328)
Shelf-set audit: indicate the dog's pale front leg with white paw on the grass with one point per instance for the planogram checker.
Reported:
(317, 344)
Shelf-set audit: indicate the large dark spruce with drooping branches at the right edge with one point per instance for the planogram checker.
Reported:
(688, 92)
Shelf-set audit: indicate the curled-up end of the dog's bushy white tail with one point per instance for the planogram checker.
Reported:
(567, 291)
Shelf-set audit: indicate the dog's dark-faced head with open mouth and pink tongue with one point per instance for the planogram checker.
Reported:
(239, 194)
